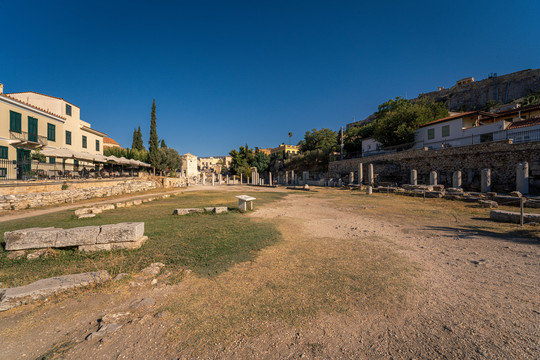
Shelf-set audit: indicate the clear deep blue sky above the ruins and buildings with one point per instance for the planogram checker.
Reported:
(224, 73)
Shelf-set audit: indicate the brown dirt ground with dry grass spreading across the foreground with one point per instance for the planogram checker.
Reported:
(434, 291)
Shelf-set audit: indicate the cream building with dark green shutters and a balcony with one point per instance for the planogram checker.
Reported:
(30, 121)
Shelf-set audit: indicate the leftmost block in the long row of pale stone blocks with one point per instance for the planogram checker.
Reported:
(32, 238)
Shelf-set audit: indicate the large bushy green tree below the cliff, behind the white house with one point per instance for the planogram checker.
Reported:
(397, 119)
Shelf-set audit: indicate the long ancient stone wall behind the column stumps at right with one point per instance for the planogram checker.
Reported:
(500, 157)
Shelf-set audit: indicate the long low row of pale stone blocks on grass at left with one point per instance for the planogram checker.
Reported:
(87, 238)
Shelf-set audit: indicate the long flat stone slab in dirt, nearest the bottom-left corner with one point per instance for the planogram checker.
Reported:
(41, 289)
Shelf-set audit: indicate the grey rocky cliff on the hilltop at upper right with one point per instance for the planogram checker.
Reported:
(474, 95)
